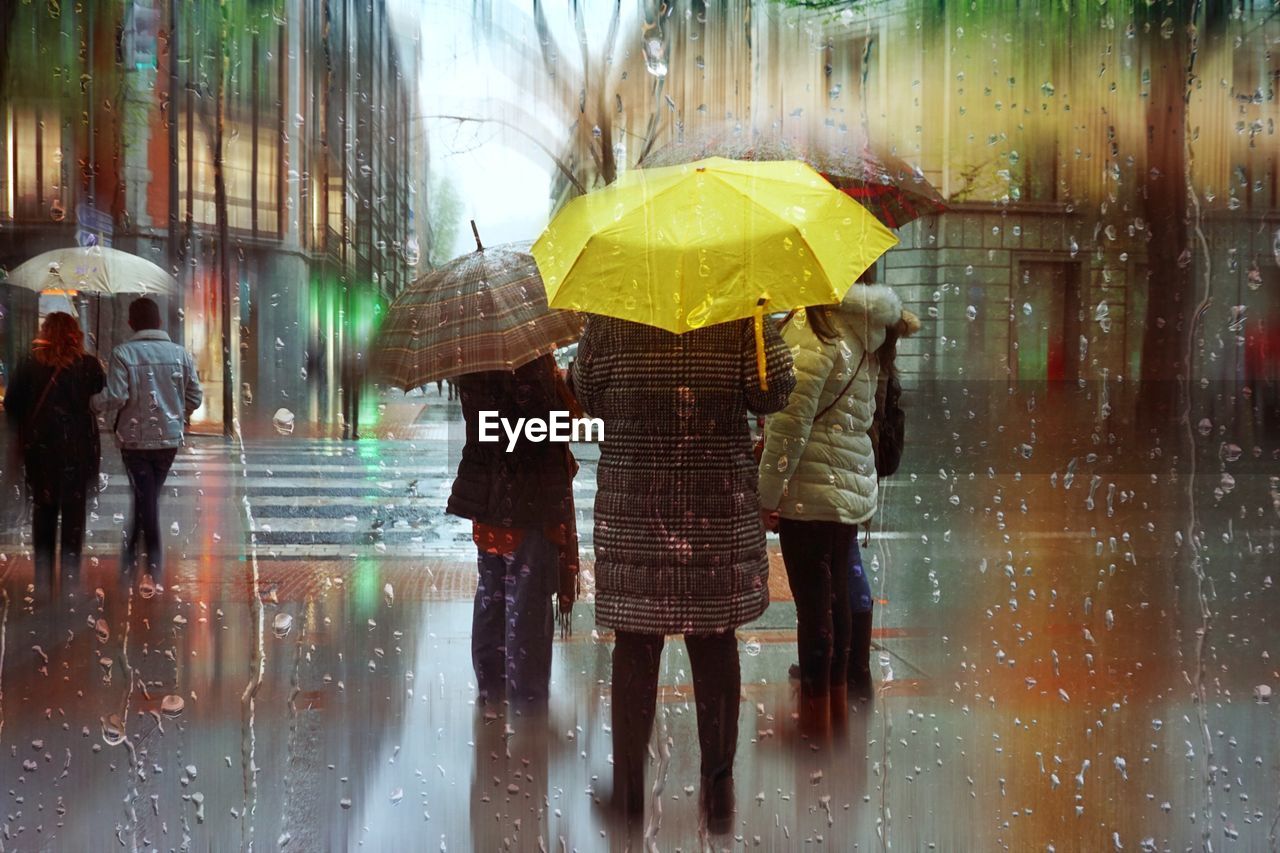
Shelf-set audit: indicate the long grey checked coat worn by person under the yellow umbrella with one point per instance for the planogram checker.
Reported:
(679, 541)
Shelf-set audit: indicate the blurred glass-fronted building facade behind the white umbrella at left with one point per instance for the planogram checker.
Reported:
(111, 125)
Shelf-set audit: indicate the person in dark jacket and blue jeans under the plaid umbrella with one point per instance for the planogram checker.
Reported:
(522, 509)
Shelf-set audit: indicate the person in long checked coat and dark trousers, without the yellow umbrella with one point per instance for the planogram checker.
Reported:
(679, 539)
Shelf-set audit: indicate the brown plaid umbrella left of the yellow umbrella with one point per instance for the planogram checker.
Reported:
(481, 312)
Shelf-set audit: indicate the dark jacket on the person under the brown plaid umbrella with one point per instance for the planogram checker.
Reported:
(531, 487)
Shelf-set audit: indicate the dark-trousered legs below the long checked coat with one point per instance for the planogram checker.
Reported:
(717, 688)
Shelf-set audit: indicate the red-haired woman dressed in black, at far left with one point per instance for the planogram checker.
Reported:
(49, 404)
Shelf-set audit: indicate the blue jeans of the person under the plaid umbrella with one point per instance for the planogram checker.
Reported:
(514, 622)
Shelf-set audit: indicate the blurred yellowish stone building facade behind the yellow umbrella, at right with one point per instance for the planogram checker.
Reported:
(1103, 170)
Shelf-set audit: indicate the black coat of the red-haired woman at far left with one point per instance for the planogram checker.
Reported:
(60, 443)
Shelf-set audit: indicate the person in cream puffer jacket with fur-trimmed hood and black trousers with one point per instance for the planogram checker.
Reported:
(819, 475)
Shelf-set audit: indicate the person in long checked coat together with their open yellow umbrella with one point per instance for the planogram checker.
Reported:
(675, 264)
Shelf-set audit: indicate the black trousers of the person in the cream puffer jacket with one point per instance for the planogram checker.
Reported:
(819, 556)
